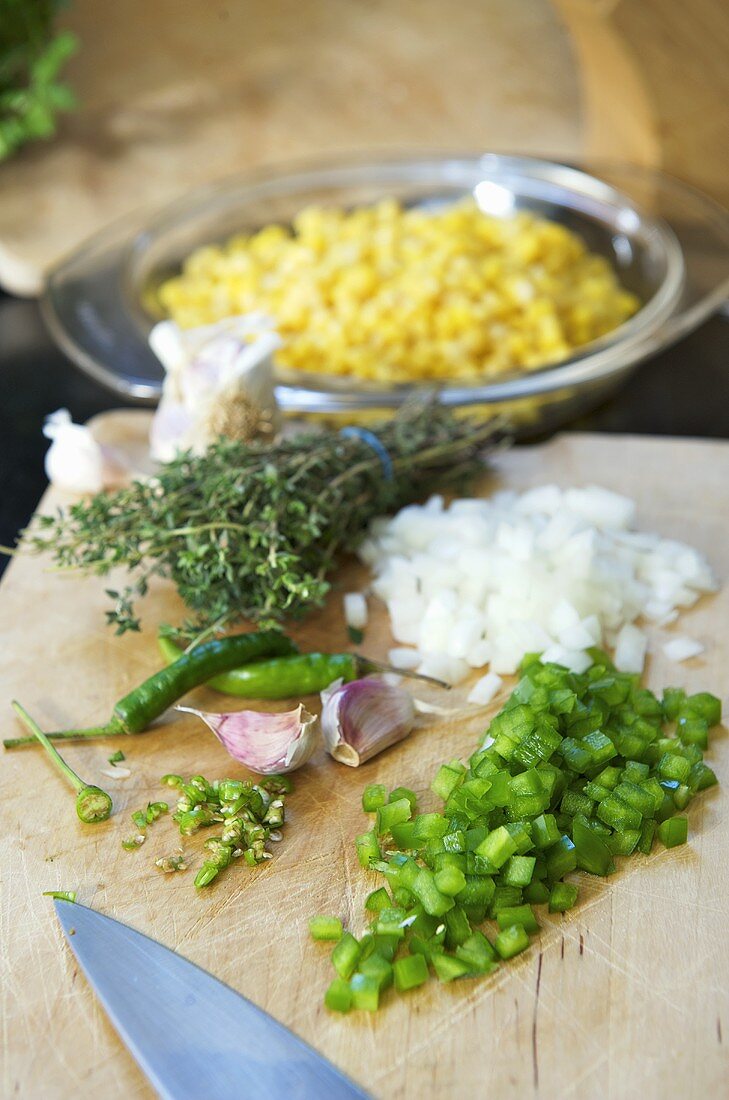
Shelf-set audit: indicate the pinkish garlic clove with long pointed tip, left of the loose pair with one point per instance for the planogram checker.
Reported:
(269, 744)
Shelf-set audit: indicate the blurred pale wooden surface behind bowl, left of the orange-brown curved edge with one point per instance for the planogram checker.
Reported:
(178, 95)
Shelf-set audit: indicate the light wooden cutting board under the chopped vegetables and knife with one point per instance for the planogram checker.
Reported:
(626, 996)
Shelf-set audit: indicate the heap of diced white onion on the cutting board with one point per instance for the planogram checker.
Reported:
(554, 571)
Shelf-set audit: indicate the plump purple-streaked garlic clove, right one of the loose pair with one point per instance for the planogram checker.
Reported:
(361, 719)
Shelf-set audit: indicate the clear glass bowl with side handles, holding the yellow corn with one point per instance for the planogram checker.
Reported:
(669, 244)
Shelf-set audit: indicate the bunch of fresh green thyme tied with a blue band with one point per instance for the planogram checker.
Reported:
(251, 532)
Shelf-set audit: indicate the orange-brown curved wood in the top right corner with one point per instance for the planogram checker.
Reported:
(655, 84)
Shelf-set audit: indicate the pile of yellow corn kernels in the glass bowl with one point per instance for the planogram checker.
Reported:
(399, 295)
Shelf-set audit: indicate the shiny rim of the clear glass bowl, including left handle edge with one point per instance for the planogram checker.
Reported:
(610, 355)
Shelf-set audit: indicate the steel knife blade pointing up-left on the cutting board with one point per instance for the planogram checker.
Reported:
(192, 1035)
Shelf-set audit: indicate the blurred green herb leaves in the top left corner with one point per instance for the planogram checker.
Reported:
(32, 56)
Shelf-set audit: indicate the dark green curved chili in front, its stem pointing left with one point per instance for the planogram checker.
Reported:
(136, 711)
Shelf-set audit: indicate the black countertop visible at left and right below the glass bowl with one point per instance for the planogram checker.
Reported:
(683, 392)
